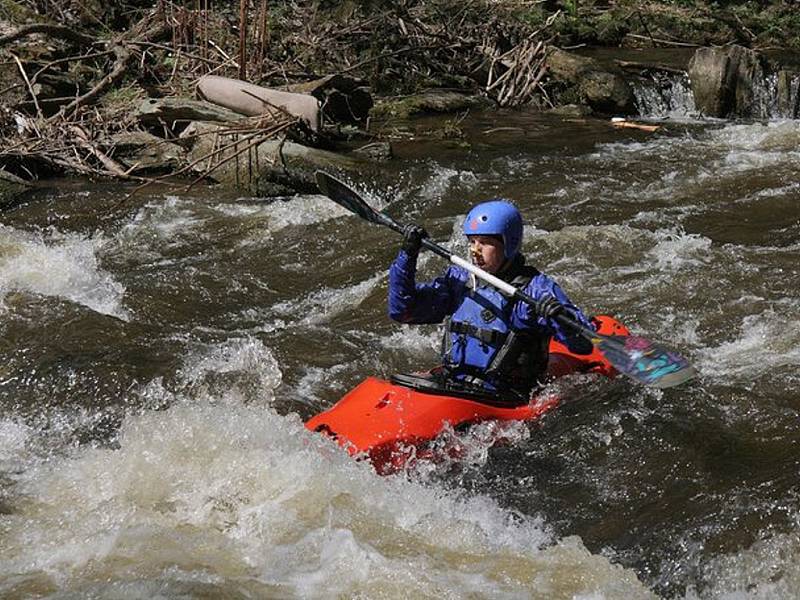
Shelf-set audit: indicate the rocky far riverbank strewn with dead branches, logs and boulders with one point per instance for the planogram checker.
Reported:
(123, 91)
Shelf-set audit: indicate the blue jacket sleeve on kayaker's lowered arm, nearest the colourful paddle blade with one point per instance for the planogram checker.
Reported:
(525, 316)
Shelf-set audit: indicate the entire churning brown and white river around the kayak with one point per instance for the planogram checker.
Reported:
(158, 357)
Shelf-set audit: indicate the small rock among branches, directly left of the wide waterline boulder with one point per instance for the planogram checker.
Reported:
(145, 153)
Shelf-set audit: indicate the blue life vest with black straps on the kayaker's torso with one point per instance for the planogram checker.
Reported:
(481, 348)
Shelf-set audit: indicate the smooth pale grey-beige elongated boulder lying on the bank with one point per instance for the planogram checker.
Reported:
(253, 100)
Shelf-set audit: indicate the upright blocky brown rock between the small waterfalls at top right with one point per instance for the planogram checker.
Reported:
(724, 81)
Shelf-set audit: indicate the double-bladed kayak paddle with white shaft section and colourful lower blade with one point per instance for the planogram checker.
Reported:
(637, 357)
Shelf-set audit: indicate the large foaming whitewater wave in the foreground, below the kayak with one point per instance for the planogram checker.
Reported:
(239, 497)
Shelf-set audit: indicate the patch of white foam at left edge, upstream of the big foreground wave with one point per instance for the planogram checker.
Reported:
(59, 265)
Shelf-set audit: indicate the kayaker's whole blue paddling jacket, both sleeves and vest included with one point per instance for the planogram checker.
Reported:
(490, 341)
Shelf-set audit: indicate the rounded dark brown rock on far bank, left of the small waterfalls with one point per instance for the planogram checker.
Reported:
(604, 89)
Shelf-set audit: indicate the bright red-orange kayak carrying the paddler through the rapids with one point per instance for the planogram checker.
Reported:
(389, 422)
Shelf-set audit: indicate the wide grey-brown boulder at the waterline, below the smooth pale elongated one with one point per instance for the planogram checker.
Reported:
(269, 168)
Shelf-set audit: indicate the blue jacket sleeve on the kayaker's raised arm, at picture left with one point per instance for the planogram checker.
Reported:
(412, 302)
